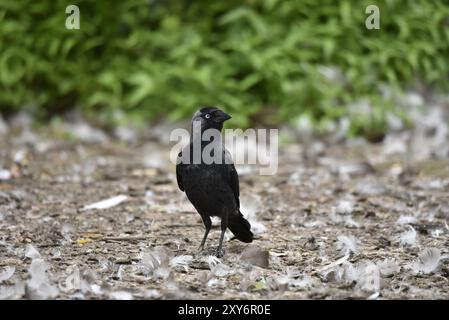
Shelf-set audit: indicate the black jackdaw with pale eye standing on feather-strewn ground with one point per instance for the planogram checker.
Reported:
(212, 188)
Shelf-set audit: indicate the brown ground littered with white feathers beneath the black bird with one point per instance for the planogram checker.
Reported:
(342, 220)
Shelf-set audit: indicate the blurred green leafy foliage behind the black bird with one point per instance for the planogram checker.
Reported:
(165, 58)
